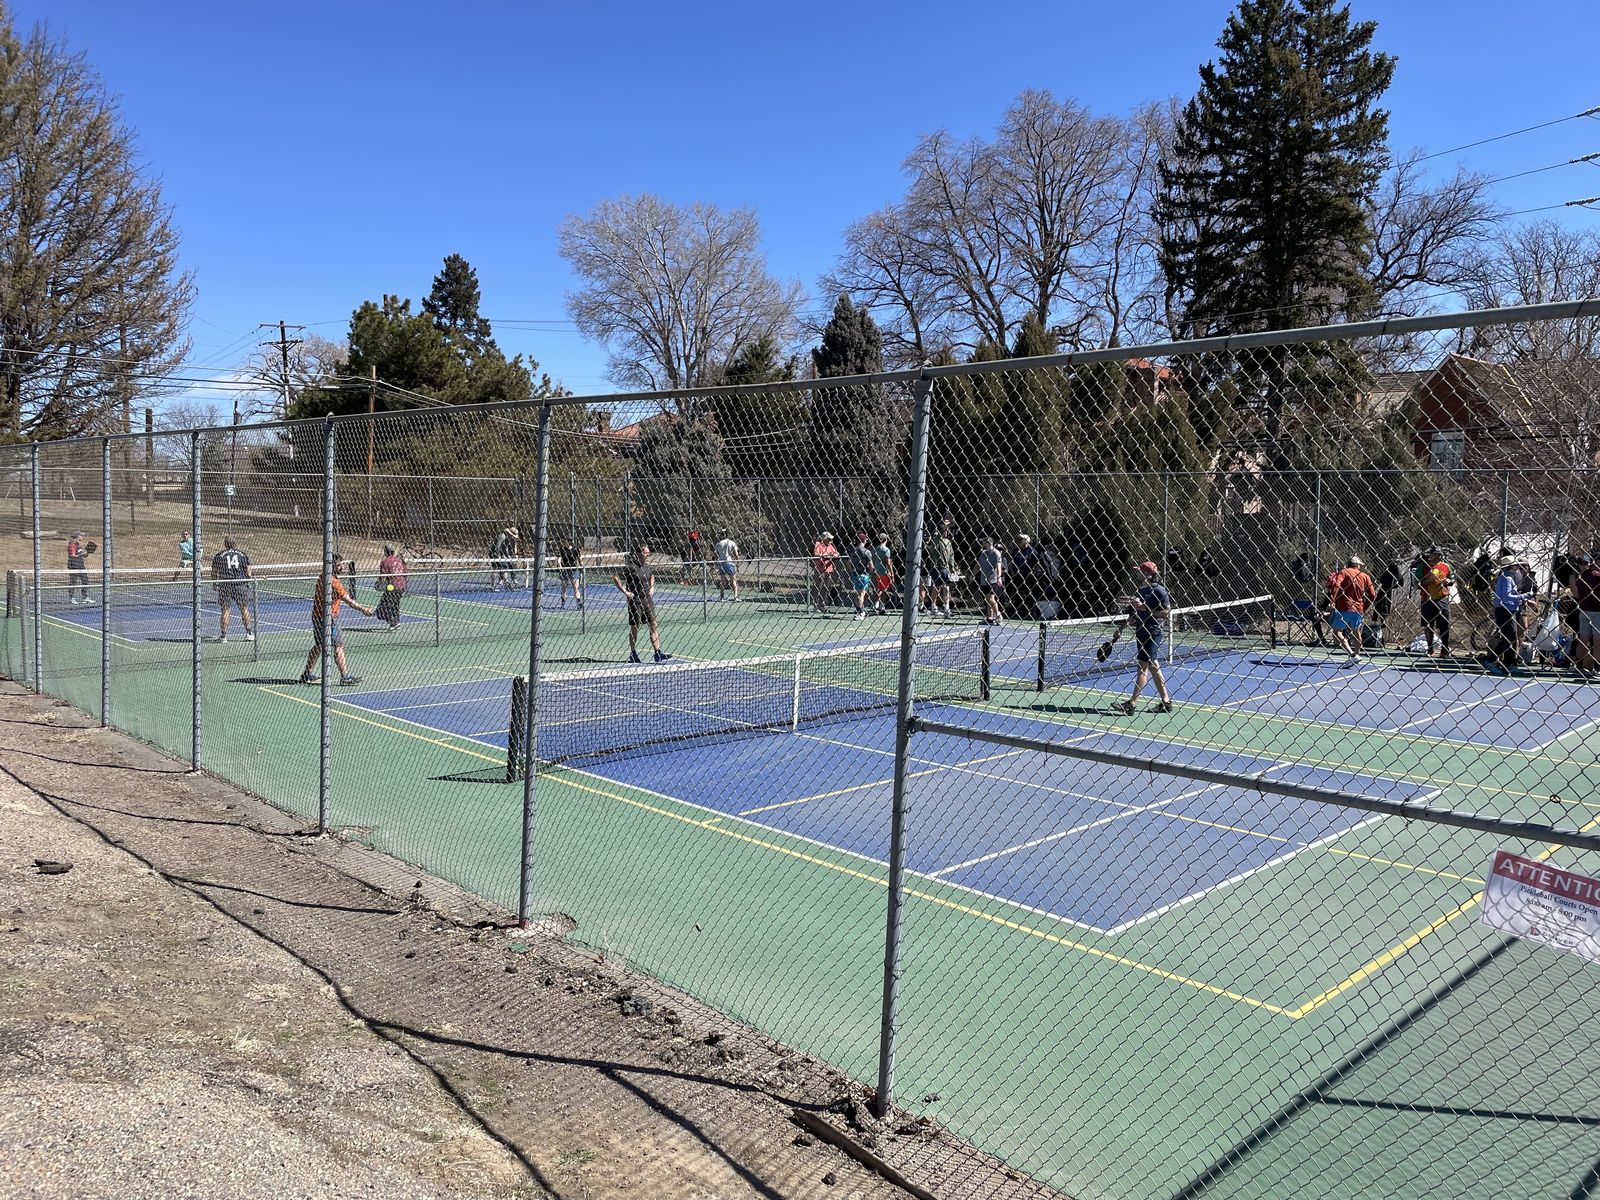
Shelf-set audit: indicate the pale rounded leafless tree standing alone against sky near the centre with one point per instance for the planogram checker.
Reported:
(676, 292)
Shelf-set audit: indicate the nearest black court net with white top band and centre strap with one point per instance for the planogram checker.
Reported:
(618, 711)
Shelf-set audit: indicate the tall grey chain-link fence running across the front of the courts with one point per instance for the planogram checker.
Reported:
(1172, 770)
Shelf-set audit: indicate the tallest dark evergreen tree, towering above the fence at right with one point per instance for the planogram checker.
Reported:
(1265, 194)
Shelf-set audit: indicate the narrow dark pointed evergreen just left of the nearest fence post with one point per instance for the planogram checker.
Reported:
(857, 431)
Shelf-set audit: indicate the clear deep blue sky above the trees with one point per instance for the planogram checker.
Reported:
(319, 156)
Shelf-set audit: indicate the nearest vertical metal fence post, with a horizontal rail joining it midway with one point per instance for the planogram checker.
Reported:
(903, 719)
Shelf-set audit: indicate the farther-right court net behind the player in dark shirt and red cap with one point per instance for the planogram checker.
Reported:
(1073, 650)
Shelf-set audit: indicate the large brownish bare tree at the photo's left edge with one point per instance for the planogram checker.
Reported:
(92, 298)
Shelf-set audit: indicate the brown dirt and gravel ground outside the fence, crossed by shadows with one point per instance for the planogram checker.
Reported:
(210, 1004)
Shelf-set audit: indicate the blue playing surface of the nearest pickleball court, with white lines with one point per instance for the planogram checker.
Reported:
(1015, 826)
